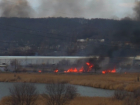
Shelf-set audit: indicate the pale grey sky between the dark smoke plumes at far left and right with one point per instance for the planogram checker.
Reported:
(116, 9)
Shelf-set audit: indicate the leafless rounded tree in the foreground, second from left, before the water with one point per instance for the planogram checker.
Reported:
(58, 93)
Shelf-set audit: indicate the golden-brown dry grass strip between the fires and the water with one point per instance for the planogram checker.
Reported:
(127, 81)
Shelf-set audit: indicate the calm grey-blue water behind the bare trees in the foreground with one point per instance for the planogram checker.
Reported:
(82, 90)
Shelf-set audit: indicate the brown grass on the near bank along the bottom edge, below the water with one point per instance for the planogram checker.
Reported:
(76, 101)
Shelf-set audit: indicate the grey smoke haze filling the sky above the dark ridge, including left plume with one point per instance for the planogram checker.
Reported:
(68, 8)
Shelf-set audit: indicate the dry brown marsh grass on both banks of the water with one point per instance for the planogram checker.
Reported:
(127, 82)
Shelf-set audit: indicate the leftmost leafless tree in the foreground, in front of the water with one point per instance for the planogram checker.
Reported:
(23, 94)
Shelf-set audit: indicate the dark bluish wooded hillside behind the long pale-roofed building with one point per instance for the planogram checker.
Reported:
(26, 36)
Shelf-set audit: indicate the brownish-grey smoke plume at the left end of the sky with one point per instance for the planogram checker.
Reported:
(15, 8)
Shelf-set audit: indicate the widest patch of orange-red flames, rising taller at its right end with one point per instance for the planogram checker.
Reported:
(75, 70)
